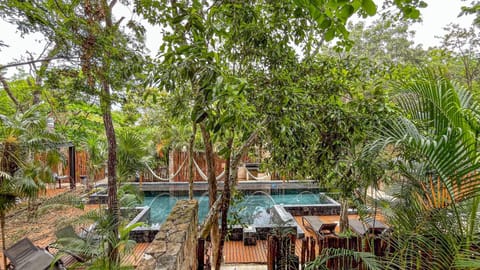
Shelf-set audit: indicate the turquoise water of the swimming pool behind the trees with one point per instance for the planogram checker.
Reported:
(253, 209)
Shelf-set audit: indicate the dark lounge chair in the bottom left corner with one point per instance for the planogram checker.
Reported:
(24, 255)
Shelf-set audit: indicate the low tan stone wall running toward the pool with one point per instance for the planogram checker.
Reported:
(175, 245)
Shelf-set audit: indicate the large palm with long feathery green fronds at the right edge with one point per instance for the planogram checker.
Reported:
(434, 141)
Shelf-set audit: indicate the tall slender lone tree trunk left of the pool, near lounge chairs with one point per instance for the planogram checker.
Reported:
(112, 202)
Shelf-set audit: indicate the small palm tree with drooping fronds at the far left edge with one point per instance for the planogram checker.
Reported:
(21, 176)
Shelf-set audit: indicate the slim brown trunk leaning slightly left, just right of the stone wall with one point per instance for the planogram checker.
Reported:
(212, 190)
